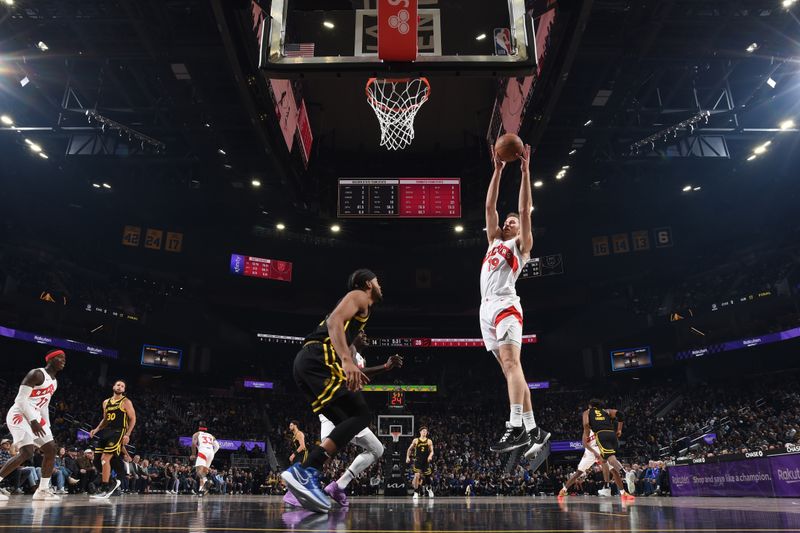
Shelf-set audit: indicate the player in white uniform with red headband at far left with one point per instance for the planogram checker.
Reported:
(28, 421)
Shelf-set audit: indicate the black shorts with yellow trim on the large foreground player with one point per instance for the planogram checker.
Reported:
(319, 375)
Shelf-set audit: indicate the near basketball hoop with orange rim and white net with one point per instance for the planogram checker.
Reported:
(396, 102)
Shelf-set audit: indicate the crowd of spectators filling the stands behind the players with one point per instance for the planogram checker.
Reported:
(667, 422)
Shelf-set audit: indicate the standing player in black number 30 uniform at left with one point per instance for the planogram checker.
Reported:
(113, 432)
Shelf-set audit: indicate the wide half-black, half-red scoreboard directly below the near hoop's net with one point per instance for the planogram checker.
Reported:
(400, 197)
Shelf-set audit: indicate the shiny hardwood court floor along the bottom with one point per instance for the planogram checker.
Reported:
(377, 515)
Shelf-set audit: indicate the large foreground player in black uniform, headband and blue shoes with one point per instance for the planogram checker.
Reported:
(333, 388)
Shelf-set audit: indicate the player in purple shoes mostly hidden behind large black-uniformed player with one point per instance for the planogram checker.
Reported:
(366, 439)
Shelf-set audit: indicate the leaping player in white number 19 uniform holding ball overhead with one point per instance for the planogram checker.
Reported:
(501, 312)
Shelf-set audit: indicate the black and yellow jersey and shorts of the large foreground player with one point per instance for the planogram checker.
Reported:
(317, 371)
